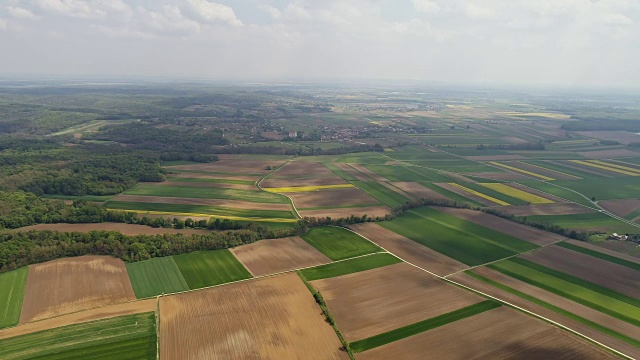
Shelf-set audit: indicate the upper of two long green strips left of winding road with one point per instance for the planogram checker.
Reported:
(205, 193)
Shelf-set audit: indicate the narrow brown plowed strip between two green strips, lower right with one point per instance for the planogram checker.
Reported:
(561, 302)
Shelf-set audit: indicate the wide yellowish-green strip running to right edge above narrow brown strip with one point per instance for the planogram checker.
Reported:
(597, 301)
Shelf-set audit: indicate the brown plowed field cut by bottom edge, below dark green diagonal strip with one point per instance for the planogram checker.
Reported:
(500, 333)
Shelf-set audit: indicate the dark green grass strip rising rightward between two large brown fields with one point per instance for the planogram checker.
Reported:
(422, 326)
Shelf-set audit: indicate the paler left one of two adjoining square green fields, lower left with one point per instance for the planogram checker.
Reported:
(155, 277)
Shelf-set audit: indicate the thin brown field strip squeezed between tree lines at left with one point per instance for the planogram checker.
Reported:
(126, 229)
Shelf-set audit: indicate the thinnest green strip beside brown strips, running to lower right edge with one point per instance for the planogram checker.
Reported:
(565, 313)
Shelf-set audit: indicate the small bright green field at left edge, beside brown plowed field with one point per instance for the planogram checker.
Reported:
(12, 287)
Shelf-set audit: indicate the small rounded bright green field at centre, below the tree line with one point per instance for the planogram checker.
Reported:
(338, 243)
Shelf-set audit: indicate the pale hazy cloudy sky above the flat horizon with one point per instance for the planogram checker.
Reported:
(537, 42)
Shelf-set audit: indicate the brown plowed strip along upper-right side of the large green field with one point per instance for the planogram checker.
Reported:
(508, 227)
